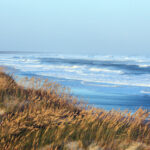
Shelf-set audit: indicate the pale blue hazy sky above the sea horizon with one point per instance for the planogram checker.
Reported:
(76, 26)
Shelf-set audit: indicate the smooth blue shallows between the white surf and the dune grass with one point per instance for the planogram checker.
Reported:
(98, 97)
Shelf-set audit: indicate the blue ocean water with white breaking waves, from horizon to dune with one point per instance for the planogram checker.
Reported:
(109, 82)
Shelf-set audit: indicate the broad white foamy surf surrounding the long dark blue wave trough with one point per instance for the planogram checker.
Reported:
(82, 72)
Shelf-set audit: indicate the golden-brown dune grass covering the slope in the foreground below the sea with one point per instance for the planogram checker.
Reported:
(44, 115)
